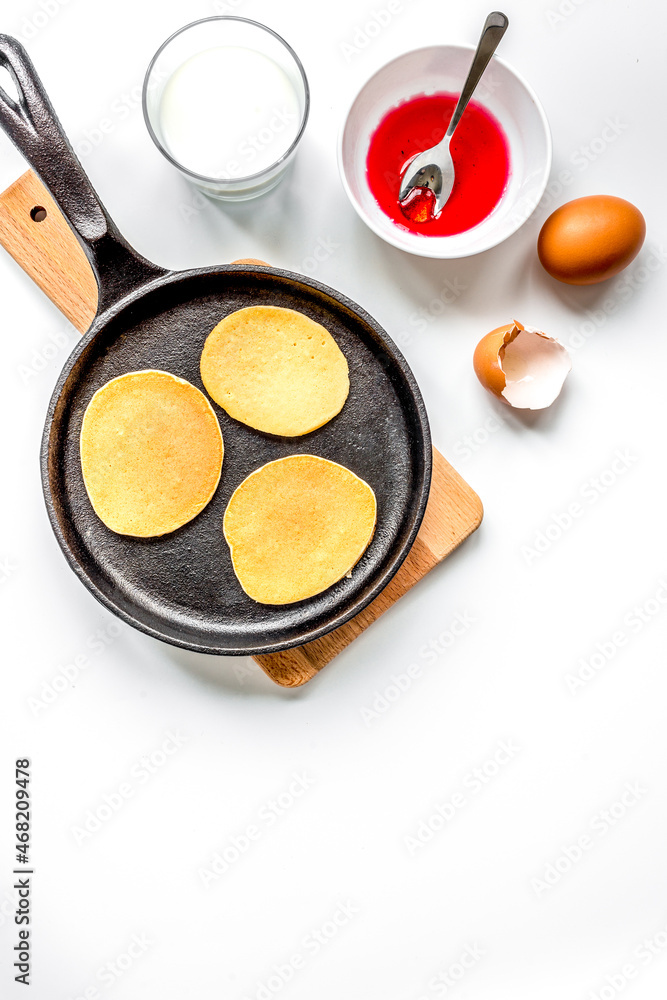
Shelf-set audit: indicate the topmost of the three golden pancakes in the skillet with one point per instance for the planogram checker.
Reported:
(275, 370)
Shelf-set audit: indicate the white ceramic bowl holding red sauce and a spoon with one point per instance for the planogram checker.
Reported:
(502, 92)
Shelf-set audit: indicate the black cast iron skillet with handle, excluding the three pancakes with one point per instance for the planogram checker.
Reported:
(181, 588)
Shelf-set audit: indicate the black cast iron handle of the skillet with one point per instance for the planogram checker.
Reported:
(33, 127)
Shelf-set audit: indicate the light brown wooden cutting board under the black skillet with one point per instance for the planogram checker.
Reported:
(34, 232)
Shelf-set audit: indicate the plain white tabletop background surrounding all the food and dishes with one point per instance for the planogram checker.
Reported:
(374, 779)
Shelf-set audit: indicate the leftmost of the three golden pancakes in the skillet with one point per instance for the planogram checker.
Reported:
(151, 453)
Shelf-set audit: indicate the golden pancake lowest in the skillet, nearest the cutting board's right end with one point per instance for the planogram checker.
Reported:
(296, 526)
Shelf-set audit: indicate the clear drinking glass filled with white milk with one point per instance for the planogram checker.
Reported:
(226, 100)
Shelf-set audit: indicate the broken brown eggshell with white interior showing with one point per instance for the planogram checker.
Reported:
(522, 366)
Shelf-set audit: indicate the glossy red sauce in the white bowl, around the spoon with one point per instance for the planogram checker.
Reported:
(481, 163)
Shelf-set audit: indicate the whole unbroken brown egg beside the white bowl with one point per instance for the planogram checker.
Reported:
(590, 239)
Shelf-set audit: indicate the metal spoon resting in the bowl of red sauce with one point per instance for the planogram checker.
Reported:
(434, 168)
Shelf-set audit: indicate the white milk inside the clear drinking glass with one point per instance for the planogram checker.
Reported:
(229, 112)
